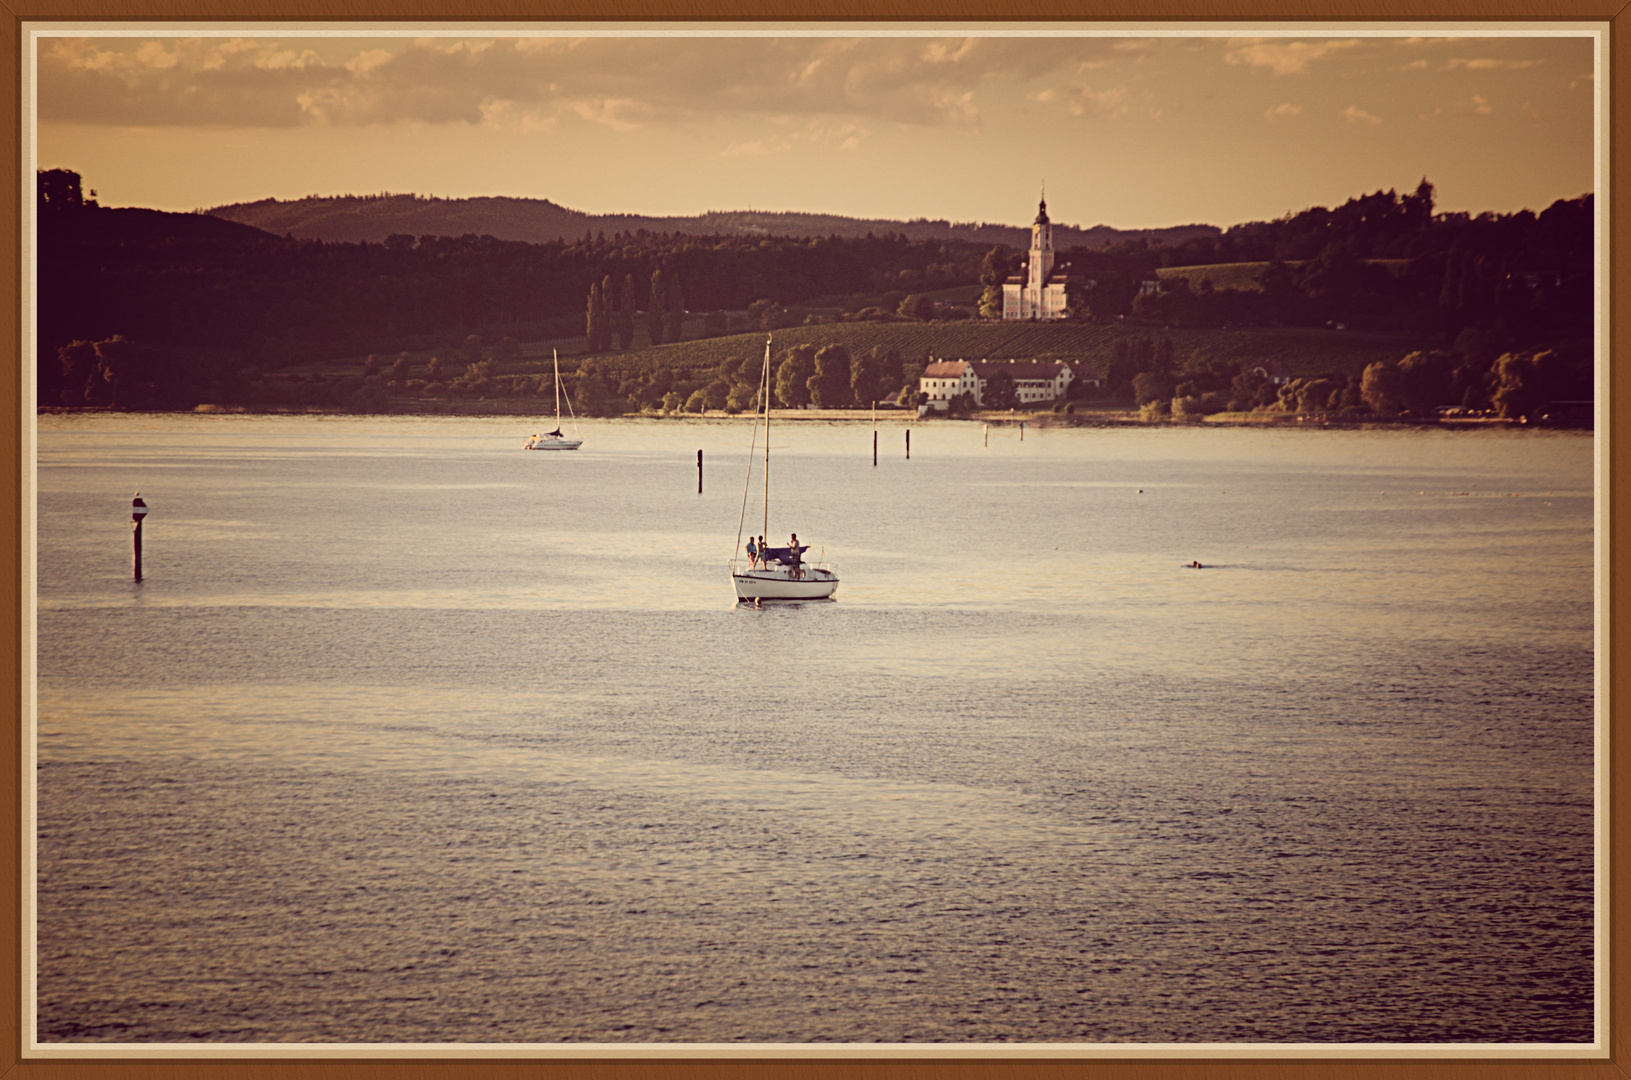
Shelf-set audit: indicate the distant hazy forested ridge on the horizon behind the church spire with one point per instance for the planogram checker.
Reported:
(371, 219)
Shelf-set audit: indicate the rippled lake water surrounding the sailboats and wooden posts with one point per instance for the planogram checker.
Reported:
(410, 735)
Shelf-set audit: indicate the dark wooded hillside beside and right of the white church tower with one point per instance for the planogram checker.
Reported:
(1379, 262)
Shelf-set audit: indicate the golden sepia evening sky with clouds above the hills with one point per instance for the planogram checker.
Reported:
(1134, 131)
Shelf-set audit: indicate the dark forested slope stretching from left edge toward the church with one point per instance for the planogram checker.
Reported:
(208, 290)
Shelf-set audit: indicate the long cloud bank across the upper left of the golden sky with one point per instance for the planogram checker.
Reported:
(619, 82)
